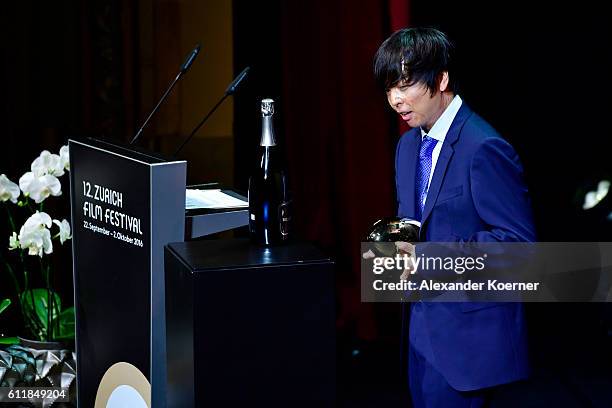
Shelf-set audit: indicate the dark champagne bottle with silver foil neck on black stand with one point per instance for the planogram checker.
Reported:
(269, 203)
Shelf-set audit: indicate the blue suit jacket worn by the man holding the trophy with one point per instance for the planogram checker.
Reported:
(477, 193)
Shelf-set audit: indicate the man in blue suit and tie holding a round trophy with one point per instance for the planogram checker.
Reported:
(465, 183)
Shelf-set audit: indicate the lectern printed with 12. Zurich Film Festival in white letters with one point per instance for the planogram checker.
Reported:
(125, 206)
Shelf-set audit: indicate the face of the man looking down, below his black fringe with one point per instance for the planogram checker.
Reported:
(415, 103)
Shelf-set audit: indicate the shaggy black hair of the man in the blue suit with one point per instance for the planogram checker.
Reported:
(415, 55)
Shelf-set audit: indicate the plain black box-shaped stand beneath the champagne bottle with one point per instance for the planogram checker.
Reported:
(249, 326)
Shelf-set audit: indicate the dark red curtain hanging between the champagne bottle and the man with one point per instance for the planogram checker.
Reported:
(339, 140)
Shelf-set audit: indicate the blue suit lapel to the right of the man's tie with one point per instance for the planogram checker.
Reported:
(445, 156)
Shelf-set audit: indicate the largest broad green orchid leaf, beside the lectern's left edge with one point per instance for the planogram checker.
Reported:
(36, 306)
